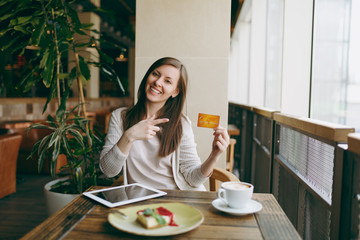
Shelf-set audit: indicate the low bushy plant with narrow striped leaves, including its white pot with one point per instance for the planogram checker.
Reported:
(71, 136)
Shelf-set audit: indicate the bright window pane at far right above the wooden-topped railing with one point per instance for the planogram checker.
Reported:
(335, 83)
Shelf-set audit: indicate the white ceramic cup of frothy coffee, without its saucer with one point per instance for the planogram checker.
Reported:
(236, 194)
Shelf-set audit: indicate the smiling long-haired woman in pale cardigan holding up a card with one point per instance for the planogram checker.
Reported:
(153, 142)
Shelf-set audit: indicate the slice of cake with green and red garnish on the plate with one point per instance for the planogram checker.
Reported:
(155, 218)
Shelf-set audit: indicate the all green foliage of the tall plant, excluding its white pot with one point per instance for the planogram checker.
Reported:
(52, 28)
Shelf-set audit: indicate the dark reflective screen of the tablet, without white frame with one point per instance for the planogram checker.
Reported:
(124, 193)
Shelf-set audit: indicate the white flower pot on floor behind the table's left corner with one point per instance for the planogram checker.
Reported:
(56, 201)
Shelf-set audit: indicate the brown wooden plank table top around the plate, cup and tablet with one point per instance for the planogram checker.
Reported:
(85, 218)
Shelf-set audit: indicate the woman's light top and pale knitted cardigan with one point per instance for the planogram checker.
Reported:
(182, 167)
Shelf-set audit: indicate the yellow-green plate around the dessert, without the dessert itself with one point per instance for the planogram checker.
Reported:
(186, 217)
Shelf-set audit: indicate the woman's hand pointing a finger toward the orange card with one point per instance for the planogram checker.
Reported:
(145, 129)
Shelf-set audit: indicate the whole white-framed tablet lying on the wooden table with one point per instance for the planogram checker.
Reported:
(121, 195)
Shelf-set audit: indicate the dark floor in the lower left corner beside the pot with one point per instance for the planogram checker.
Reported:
(22, 211)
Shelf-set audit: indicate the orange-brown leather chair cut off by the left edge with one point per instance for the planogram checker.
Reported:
(9, 150)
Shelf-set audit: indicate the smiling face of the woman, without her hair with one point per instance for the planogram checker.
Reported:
(162, 83)
